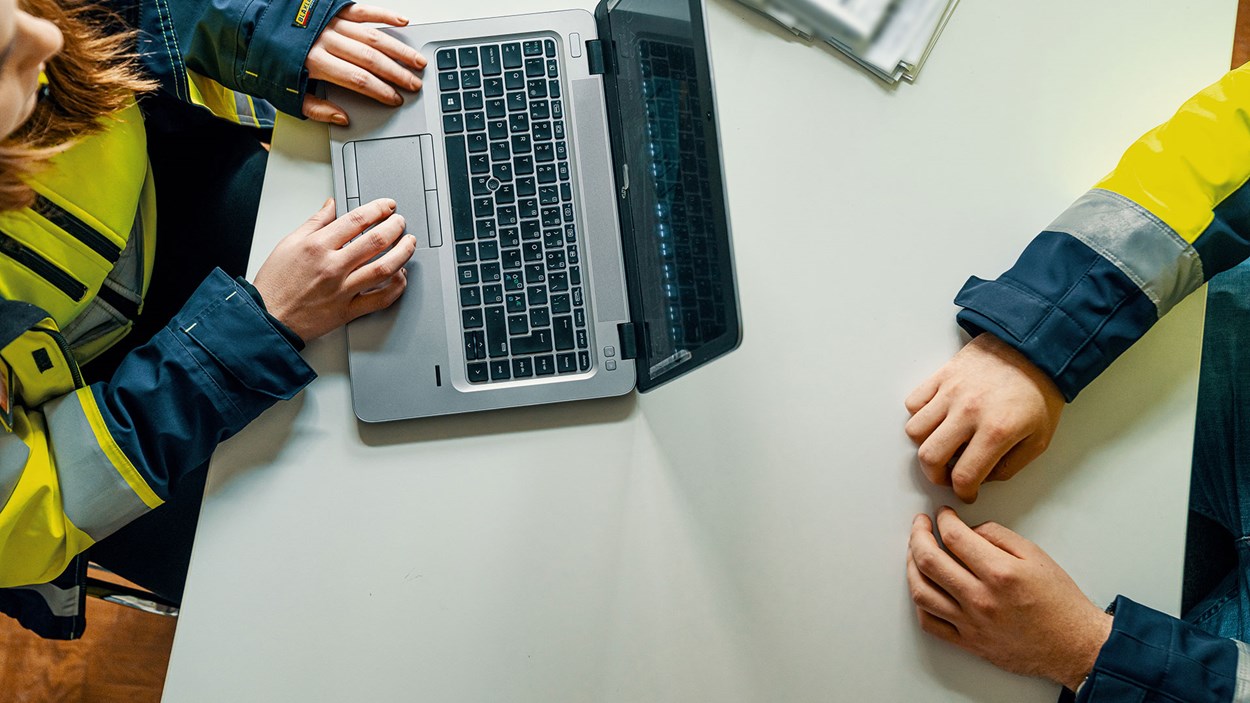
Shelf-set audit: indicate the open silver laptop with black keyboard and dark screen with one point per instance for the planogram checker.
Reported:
(562, 174)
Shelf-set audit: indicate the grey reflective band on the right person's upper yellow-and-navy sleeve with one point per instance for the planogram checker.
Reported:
(1151, 253)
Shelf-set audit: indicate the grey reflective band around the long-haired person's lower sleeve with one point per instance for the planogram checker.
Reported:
(97, 498)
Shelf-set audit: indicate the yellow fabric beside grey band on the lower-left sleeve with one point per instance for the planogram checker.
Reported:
(37, 540)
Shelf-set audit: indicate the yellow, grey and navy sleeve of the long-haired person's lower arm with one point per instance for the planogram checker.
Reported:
(77, 467)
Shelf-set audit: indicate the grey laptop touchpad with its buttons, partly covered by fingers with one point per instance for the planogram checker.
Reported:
(396, 168)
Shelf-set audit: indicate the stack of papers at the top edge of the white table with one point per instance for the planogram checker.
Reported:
(889, 38)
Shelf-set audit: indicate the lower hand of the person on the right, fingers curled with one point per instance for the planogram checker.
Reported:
(1004, 600)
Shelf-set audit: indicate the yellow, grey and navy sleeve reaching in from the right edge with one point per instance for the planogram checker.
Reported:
(1174, 213)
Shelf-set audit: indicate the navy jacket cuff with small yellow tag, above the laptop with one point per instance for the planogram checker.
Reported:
(273, 66)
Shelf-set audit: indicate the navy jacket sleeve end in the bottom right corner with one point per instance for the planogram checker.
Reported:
(1157, 659)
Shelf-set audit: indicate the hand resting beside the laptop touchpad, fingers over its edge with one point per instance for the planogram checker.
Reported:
(327, 273)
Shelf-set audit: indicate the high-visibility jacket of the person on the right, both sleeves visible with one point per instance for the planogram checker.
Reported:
(1174, 213)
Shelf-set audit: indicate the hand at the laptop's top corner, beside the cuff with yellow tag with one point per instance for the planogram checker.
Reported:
(363, 59)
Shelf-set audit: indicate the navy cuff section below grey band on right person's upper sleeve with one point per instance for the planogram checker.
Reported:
(1064, 307)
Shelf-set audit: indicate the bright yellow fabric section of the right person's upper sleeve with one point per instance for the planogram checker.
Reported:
(1187, 167)
